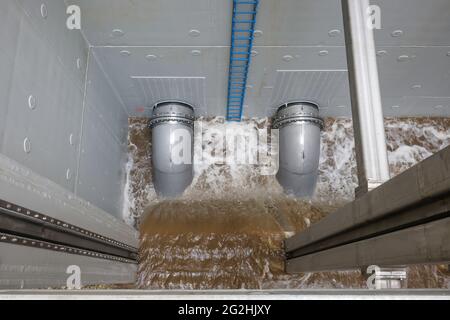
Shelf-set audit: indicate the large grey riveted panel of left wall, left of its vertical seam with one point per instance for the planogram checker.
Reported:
(42, 77)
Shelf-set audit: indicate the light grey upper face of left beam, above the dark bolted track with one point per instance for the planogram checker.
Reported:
(20, 185)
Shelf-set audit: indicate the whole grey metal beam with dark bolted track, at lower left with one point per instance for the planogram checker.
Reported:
(44, 229)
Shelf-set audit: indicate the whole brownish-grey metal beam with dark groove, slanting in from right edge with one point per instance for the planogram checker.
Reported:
(418, 199)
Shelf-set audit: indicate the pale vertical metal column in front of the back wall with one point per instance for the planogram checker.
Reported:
(370, 140)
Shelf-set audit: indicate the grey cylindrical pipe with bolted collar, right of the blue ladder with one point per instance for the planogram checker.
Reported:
(299, 147)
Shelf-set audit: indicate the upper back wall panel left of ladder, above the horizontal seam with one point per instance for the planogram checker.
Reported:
(157, 22)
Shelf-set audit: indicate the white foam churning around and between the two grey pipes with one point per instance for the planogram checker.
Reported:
(409, 141)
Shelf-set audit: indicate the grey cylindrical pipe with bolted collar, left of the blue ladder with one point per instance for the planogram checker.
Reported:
(172, 127)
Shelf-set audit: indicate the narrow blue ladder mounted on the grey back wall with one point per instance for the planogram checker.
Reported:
(243, 27)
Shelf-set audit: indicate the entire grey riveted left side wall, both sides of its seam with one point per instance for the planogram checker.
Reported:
(61, 117)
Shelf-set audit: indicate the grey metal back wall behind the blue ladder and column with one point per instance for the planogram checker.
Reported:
(413, 47)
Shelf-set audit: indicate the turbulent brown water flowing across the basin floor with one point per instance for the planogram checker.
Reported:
(227, 230)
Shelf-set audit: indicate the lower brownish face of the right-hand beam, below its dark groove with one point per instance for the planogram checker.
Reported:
(423, 244)
